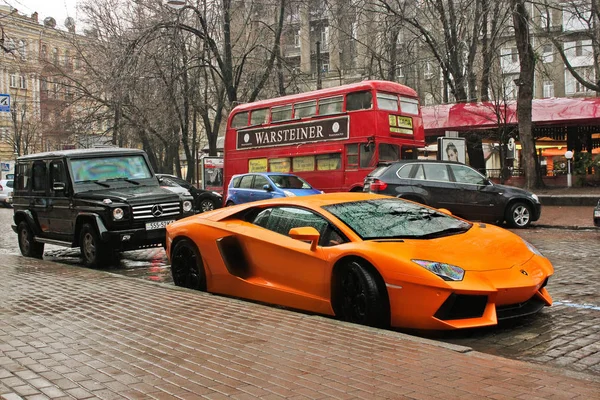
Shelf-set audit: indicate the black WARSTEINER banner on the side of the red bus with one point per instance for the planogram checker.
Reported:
(297, 133)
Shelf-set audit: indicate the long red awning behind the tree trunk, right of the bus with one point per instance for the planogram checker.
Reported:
(487, 115)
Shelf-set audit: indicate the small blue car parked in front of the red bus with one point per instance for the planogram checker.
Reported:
(269, 185)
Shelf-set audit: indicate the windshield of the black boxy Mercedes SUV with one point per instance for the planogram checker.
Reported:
(107, 168)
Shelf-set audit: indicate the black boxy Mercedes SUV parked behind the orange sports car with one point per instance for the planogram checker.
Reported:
(103, 200)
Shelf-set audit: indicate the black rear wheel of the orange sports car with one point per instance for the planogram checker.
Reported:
(187, 268)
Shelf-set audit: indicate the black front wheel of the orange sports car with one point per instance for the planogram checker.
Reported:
(359, 299)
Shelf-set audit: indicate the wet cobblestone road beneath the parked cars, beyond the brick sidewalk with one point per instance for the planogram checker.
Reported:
(566, 335)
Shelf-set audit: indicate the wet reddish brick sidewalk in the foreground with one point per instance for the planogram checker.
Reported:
(71, 332)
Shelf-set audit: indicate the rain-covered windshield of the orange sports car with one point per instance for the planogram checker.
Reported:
(396, 219)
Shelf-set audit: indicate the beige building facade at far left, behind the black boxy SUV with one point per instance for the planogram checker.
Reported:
(35, 55)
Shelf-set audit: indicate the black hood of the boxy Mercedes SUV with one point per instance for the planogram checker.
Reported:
(132, 195)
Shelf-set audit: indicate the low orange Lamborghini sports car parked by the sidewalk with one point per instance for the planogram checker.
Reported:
(363, 258)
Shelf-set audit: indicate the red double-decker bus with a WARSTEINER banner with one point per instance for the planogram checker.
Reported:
(330, 137)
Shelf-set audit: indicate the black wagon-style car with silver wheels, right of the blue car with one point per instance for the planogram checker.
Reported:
(456, 187)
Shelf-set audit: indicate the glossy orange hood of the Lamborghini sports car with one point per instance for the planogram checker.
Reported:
(482, 248)
